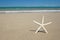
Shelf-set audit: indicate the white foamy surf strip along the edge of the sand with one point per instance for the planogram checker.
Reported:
(31, 11)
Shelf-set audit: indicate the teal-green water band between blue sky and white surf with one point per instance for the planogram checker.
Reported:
(29, 8)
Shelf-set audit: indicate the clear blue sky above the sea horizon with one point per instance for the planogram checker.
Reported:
(29, 3)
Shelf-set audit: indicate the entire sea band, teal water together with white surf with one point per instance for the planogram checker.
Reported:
(29, 9)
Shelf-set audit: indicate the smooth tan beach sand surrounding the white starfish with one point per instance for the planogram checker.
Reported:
(20, 26)
